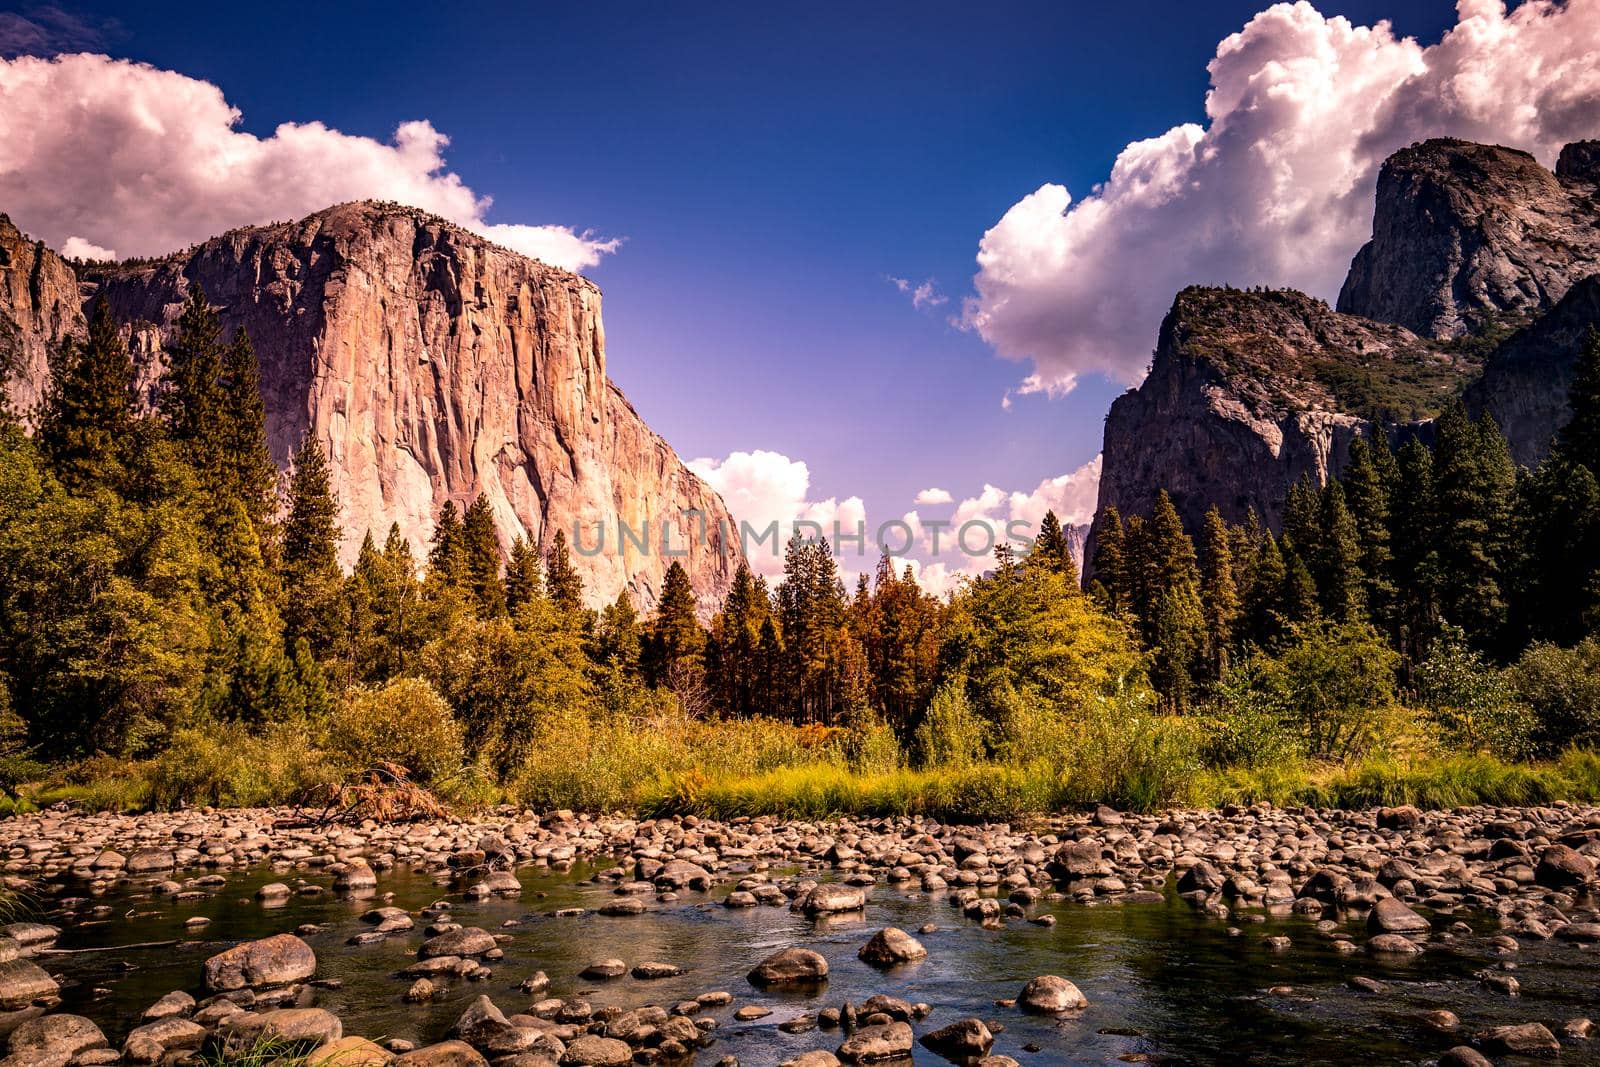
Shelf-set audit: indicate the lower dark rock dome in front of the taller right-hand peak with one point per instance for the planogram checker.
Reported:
(1250, 391)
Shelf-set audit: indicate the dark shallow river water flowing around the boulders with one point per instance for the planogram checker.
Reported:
(1164, 981)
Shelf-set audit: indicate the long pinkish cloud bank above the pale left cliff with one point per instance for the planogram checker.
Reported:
(124, 156)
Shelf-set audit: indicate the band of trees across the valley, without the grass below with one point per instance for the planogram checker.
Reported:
(159, 577)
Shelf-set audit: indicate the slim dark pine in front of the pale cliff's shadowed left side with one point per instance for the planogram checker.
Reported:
(311, 553)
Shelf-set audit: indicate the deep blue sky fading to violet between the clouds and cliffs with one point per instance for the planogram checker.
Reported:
(770, 169)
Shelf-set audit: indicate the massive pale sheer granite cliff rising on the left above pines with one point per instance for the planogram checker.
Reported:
(433, 366)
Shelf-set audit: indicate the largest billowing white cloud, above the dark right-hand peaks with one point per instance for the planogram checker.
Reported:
(1276, 188)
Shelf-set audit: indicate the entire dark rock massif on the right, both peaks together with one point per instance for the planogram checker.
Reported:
(1476, 282)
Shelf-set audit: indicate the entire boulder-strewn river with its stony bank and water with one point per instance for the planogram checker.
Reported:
(522, 940)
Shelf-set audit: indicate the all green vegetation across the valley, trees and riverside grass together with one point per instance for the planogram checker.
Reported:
(177, 629)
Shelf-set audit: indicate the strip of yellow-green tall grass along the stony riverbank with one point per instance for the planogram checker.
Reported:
(662, 762)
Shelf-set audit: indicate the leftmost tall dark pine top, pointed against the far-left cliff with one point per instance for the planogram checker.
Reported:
(87, 412)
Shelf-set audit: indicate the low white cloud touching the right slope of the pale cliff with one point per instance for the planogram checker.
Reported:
(764, 487)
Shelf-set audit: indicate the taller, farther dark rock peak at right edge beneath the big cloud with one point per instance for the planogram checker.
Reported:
(1468, 233)
